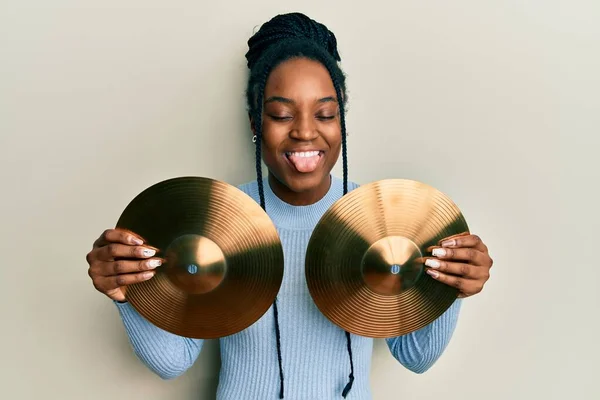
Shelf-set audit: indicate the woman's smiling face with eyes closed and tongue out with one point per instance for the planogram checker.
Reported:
(301, 125)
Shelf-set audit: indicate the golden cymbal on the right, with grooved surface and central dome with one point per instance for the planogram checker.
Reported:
(364, 262)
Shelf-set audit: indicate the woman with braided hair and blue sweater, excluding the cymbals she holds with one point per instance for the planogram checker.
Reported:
(296, 95)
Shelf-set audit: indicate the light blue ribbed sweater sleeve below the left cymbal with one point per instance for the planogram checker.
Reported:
(164, 353)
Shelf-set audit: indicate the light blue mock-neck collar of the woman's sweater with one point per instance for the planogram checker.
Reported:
(285, 215)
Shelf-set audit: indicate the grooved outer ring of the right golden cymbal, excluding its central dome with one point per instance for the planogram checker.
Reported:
(337, 288)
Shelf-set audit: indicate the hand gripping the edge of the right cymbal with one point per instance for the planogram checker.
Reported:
(461, 261)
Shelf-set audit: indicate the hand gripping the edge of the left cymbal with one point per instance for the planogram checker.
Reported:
(117, 259)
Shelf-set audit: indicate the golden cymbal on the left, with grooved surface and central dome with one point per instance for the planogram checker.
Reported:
(224, 260)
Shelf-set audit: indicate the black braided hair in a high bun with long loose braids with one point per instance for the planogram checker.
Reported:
(282, 38)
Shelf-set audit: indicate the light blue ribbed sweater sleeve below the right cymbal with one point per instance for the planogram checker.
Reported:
(419, 350)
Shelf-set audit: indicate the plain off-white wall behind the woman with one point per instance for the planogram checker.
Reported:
(496, 103)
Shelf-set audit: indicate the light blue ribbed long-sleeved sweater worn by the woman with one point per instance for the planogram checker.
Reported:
(314, 351)
